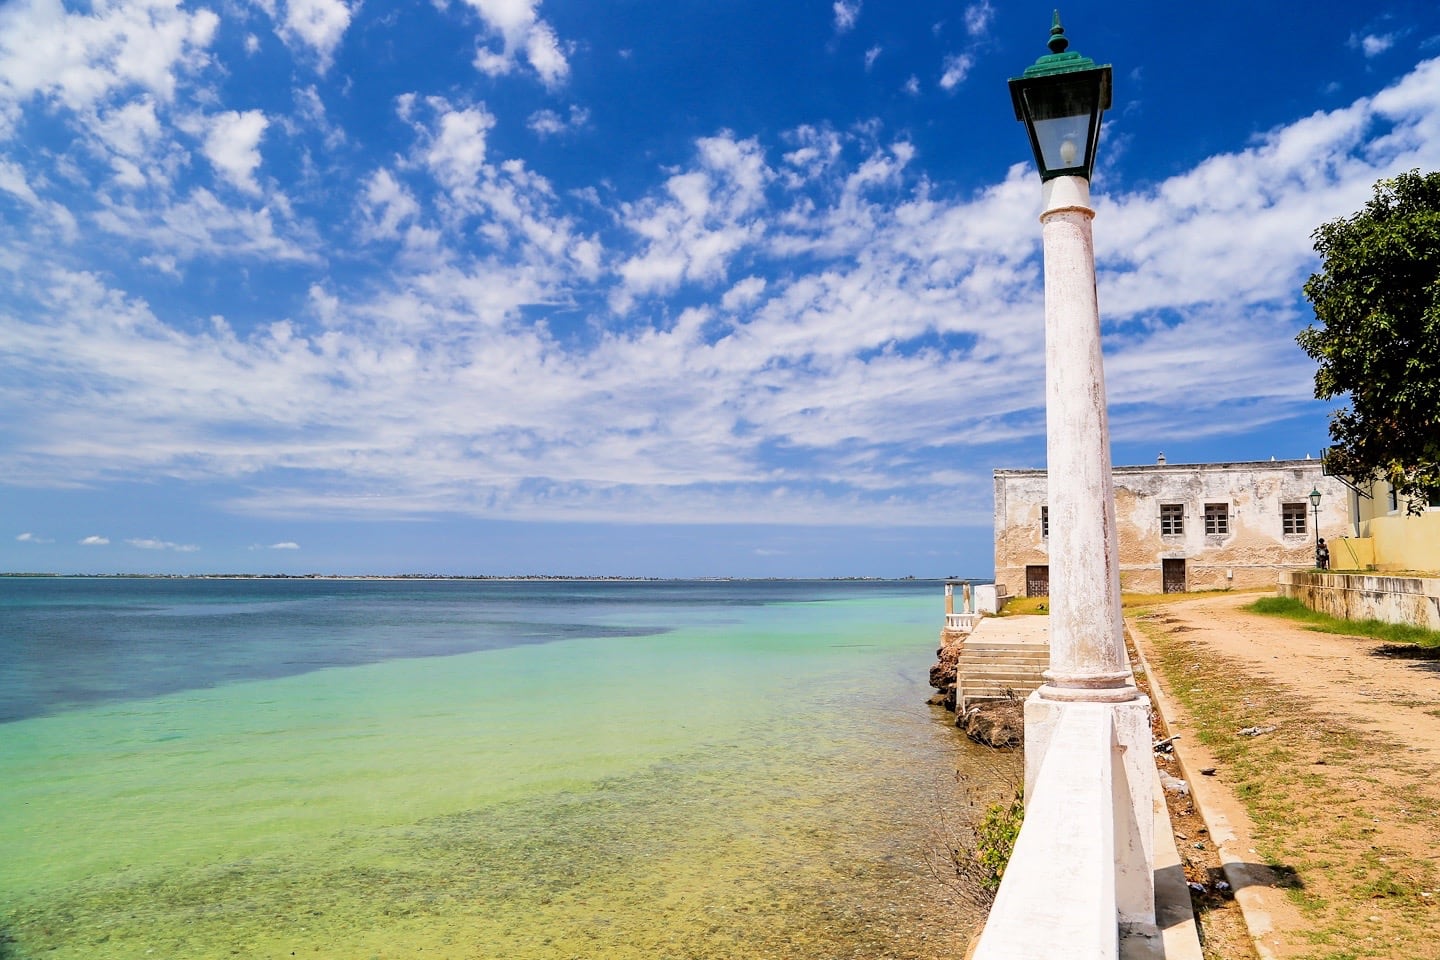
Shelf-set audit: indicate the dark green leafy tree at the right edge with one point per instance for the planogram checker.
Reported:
(1377, 299)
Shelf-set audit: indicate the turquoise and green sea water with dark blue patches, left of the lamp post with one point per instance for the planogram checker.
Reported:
(473, 769)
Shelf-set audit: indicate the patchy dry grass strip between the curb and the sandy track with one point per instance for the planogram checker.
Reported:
(1344, 814)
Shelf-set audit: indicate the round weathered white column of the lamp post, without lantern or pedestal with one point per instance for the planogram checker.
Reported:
(1086, 633)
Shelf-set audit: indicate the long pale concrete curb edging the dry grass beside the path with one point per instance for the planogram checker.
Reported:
(1252, 883)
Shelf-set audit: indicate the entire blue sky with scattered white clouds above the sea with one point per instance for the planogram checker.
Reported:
(642, 287)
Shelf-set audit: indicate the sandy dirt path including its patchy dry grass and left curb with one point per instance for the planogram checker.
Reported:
(1338, 788)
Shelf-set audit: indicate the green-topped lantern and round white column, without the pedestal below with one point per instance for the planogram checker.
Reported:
(1061, 100)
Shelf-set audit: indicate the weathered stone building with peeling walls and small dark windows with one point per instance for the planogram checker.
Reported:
(1183, 526)
